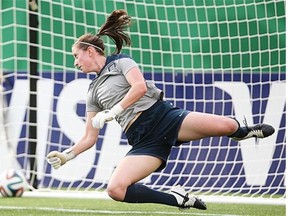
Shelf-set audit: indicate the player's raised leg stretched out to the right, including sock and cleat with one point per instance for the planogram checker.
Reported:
(200, 125)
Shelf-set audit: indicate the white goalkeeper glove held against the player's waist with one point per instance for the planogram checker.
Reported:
(101, 118)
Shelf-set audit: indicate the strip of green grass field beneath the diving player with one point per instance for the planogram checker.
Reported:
(65, 206)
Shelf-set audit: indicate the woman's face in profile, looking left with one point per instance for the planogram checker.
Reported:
(85, 59)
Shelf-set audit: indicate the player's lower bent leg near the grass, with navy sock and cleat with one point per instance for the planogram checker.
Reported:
(132, 169)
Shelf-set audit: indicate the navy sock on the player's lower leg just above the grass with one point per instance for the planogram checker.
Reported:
(141, 194)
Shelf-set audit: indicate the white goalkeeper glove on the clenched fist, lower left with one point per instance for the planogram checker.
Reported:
(57, 159)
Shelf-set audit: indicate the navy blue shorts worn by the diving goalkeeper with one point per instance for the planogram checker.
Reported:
(155, 131)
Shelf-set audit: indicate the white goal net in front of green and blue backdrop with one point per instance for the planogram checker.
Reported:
(220, 57)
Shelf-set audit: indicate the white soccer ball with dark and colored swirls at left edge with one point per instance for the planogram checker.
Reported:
(12, 183)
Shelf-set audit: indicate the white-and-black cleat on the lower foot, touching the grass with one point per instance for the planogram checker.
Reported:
(186, 201)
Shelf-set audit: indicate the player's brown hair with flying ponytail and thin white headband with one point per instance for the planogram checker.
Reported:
(114, 28)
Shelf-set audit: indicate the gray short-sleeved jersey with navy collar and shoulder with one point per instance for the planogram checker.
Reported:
(110, 86)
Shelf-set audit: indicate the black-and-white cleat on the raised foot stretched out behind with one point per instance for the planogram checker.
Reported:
(257, 131)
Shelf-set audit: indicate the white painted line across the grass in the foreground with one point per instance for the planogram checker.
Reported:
(107, 211)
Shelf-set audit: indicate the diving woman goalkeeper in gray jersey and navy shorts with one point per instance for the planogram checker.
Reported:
(152, 125)
